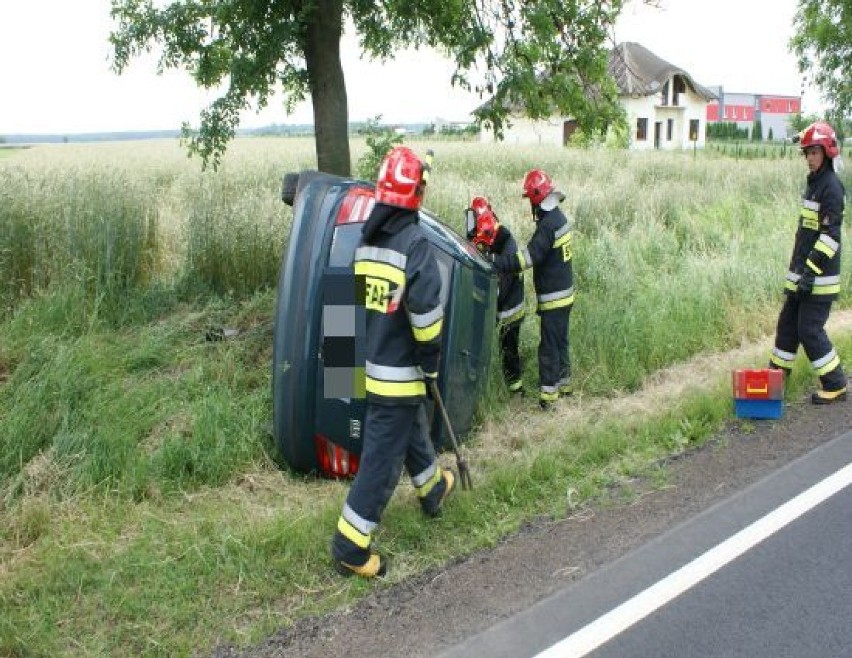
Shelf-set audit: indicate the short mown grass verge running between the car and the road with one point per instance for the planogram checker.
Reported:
(109, 576)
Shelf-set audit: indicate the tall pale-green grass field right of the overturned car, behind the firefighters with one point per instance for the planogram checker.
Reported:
(674, 254)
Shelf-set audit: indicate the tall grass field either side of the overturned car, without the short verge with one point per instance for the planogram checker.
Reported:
(674, 256)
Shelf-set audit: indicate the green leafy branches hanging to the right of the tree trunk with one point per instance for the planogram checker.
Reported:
(537, 58)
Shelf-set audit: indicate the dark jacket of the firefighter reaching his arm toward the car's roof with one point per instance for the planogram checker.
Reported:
(549, 254)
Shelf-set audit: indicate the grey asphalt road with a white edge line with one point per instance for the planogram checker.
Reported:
(764, 573)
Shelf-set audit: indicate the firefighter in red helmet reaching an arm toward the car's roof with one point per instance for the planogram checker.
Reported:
(548, 253)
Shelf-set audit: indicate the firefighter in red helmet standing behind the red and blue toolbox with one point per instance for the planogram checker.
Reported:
(813, 277)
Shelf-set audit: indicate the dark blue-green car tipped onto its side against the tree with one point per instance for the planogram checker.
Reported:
(318, 358)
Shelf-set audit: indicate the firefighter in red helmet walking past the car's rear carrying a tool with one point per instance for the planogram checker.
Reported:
(404, 319)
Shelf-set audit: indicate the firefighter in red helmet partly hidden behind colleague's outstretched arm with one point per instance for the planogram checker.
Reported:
(492, 237)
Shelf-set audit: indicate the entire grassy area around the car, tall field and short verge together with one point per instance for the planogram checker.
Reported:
(142, 508)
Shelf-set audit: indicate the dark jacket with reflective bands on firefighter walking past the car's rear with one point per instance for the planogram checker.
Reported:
(402, 295)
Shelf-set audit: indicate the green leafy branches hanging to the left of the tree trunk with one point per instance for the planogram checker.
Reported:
(248, 48)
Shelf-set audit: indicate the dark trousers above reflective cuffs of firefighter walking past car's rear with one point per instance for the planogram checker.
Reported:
(393, 436)
